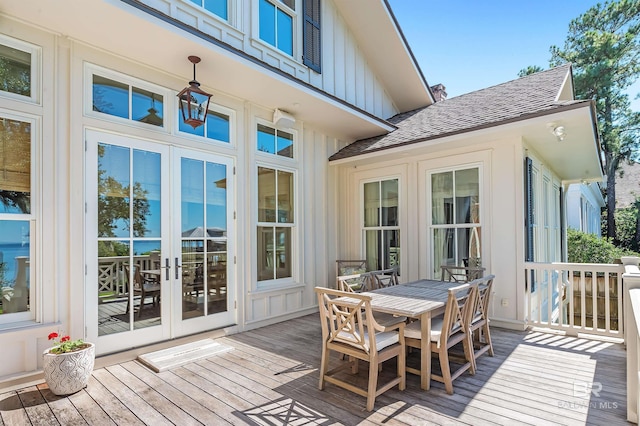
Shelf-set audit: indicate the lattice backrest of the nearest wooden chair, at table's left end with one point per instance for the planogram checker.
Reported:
(347, 322)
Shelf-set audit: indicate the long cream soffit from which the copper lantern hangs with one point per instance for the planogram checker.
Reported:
(114, 26)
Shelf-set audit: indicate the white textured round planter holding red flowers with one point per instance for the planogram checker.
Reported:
(69, 372)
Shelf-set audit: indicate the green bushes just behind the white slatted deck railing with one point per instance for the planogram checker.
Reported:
(589, 248)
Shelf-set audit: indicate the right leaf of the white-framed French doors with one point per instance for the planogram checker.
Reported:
(204, 213)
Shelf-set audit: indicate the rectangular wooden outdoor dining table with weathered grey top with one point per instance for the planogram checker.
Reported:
(422, 299)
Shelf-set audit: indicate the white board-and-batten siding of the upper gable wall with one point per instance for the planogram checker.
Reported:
(345, 71)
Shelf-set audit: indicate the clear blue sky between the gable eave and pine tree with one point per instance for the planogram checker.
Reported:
(468, 45)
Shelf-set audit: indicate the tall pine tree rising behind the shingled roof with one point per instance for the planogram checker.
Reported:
(603, 46)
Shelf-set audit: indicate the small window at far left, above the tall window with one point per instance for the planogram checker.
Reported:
(18, 68)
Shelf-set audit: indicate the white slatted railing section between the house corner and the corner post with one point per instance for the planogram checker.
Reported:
(575, 297)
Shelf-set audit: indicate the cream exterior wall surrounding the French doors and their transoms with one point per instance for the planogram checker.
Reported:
(58, 270)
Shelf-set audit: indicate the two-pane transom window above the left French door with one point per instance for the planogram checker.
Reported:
(121, 99)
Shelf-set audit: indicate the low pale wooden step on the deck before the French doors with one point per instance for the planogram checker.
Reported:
(179, 355)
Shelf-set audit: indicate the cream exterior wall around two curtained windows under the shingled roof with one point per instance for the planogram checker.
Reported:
(500, 159)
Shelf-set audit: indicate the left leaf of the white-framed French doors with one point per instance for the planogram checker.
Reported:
(126, 231)
